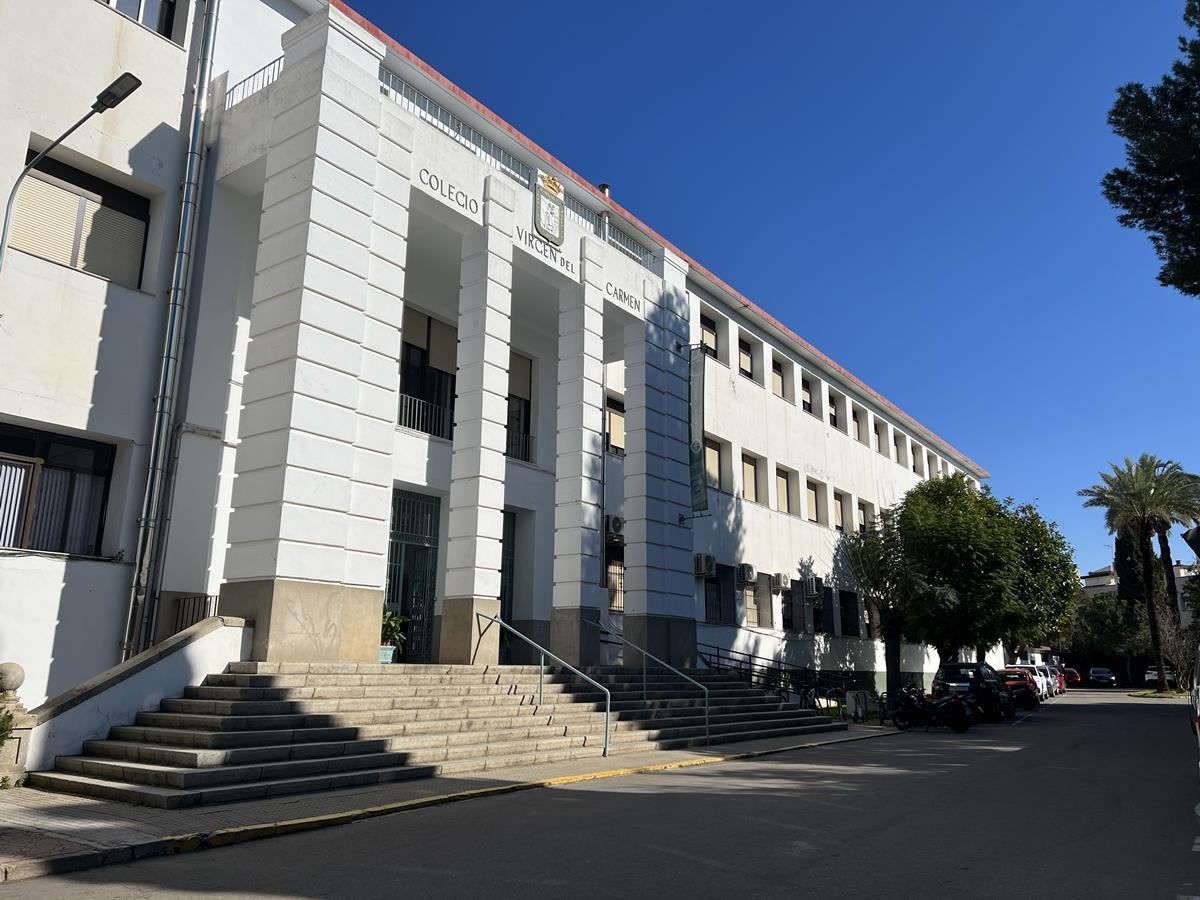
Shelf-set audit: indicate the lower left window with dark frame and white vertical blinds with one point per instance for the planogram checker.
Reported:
(53, 491)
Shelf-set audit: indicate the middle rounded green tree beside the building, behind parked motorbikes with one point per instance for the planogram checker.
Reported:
(961, 554)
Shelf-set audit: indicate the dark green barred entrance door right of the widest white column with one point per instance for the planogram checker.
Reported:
(412, 571)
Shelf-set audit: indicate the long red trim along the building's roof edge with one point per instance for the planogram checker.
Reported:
(400, 50)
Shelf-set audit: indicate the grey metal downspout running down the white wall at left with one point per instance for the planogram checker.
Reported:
(147, 556)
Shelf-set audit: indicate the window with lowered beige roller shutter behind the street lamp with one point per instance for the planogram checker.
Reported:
(81, 221)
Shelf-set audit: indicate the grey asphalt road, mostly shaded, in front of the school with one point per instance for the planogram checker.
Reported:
(1093, 796)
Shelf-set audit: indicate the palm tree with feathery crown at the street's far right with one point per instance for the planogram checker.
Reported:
(1138, 499)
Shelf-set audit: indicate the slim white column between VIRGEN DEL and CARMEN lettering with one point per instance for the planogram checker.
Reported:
(579, 532)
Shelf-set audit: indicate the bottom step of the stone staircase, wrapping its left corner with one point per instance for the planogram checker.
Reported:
(178, 799)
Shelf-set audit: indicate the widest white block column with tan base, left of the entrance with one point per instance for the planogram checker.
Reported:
(308, 533)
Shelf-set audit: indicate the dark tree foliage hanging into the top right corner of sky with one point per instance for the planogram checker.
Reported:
(1160, 187)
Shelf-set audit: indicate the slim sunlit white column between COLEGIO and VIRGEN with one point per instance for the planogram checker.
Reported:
(478, 465)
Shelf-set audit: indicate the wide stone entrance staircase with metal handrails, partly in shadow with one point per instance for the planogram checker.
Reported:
(269, 729)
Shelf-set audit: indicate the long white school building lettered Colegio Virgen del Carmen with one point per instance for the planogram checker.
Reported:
(424, 367)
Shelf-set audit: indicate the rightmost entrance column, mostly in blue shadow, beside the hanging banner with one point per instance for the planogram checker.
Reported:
(659, 585)
